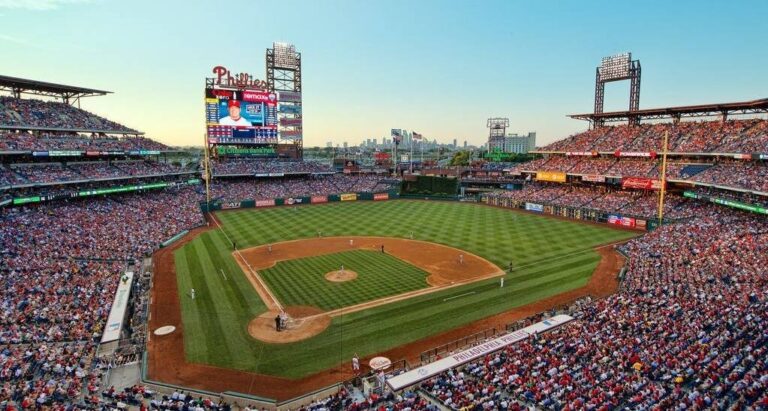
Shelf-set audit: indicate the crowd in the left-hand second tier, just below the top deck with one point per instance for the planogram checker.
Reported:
(27, 142)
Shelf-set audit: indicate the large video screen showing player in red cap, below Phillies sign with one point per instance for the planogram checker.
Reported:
(241, 114)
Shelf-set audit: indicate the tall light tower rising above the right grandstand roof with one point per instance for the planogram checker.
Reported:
(616, 68)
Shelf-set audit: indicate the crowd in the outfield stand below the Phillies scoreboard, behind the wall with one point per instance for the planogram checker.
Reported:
(263, 189)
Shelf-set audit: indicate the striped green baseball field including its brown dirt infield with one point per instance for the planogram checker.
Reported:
(407, 293)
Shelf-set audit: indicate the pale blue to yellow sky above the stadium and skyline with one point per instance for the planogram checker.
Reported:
(440, 68)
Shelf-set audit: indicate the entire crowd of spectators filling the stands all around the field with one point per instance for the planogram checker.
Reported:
(687, 330)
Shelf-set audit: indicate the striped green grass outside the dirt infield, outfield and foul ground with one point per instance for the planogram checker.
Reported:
(550, 256)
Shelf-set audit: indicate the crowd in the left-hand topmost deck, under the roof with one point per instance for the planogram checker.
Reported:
(52, 114)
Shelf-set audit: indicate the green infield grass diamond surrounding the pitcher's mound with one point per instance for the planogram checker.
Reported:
(302, 281)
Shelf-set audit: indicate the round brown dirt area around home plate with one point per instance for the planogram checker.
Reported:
(304, 322)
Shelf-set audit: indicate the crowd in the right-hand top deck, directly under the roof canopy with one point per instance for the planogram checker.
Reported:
(732, 136)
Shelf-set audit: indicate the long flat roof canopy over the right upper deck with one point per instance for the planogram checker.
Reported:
(702, 110)
